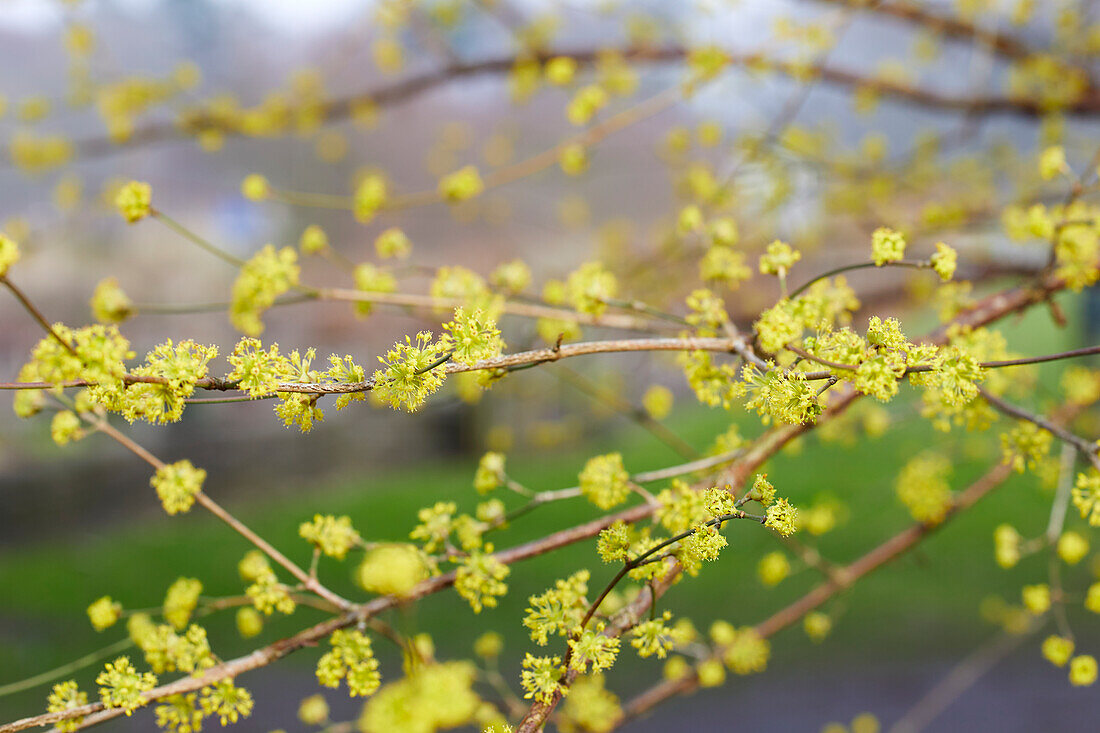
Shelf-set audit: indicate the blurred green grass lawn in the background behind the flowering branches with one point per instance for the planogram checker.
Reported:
(923, 605)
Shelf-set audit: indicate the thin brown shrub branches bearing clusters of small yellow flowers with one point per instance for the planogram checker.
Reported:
(800, 366)
